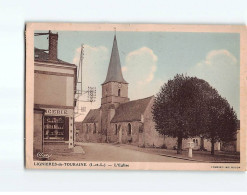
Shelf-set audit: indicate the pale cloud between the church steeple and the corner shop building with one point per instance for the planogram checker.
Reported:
(94, 67)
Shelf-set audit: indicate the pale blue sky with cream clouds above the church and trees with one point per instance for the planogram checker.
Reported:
(150, 59)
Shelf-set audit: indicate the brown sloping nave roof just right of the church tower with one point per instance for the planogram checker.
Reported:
(131, 111)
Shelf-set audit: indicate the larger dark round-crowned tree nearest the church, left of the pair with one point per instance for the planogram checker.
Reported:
(177, 109)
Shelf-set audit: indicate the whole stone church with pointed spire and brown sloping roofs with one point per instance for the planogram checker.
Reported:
(122, 121)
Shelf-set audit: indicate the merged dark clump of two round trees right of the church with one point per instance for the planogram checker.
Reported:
(187, 107)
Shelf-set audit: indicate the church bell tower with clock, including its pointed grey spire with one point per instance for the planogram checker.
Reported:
(114, 88)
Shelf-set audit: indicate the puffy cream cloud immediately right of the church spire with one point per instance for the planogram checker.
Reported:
(139, 71)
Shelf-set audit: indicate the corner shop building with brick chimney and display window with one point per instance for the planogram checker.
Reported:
(54, 96)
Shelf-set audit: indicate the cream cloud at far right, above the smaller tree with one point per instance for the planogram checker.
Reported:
(221, 69)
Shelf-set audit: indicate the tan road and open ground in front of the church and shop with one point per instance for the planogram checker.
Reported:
(130, 153)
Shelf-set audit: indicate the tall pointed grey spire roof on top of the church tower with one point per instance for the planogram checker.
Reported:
(114, 70)
